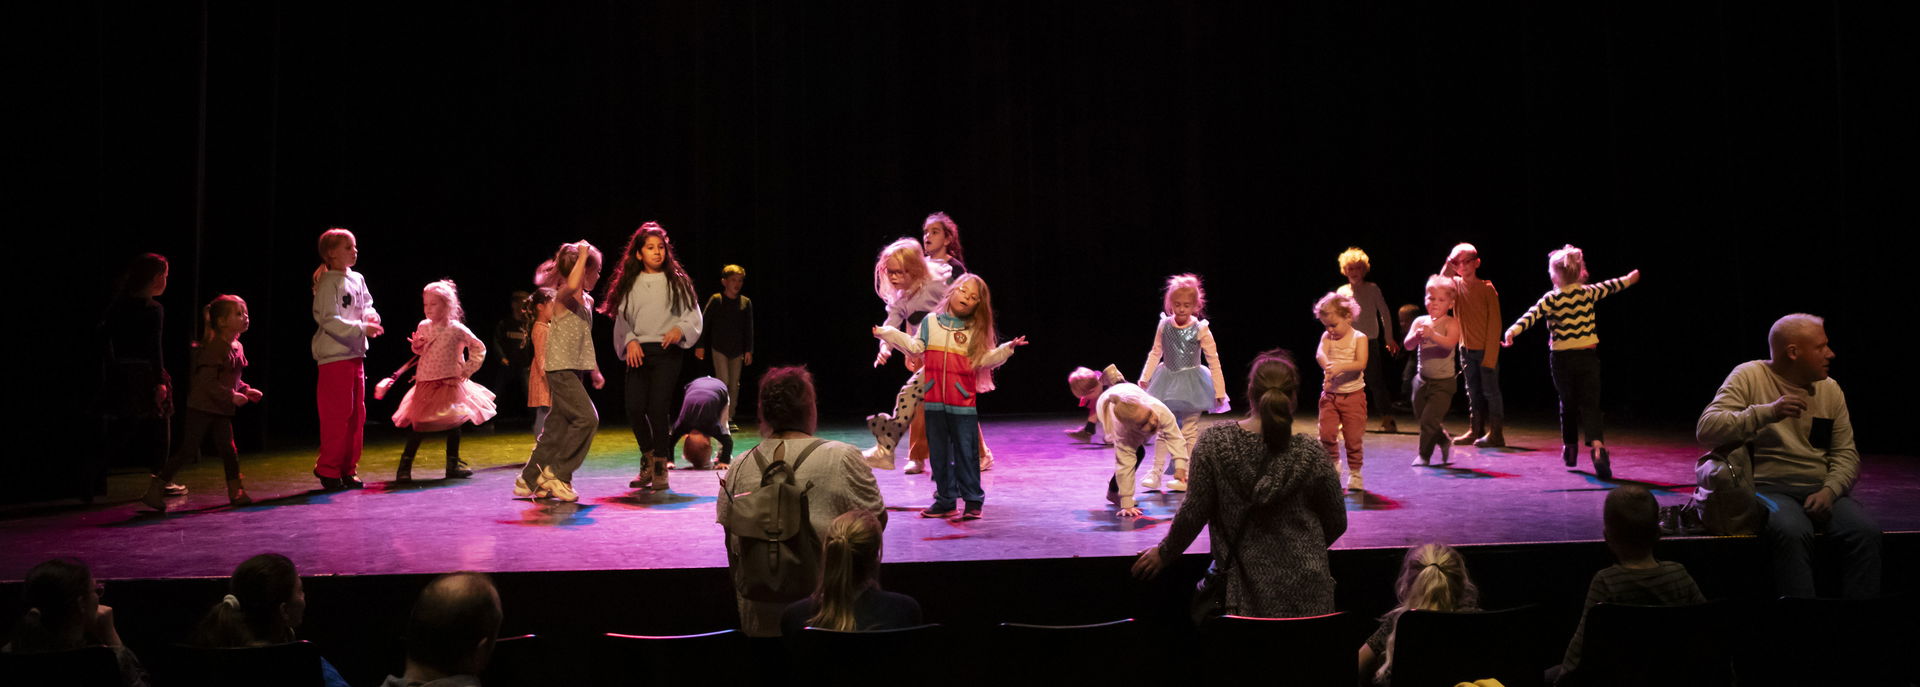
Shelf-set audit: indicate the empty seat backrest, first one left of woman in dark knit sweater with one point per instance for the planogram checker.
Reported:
(1063, 655)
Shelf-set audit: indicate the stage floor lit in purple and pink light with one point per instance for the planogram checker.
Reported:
(1045, 500)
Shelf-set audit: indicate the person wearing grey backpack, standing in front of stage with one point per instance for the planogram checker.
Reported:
(779, 502)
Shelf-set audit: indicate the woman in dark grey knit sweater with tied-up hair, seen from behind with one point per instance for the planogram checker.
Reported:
(1274, 565)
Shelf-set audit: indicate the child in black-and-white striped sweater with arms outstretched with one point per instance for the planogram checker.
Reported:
(1573, 335)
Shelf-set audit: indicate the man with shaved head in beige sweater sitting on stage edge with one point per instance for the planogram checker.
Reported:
(1794, 419)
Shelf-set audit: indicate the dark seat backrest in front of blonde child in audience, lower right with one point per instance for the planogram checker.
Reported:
(1435, 648)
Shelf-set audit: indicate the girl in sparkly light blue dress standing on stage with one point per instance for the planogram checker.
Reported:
(1176, 373)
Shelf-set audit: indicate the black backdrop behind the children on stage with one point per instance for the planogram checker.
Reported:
(1750, 160)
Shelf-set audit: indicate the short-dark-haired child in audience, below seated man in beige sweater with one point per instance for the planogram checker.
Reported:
(1633, 525)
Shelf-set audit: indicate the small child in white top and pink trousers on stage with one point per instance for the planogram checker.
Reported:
(1343, 406)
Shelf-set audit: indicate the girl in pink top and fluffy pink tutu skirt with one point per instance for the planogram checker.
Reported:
(443, 396)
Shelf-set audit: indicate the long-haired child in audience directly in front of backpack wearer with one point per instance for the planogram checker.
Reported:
(850, 598)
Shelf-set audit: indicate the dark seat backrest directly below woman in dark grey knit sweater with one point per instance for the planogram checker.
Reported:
(1314, 650)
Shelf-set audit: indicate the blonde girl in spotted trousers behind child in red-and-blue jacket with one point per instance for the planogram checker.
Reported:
(907, 285)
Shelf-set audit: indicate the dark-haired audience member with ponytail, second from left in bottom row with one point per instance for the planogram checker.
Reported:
(264, 607)
